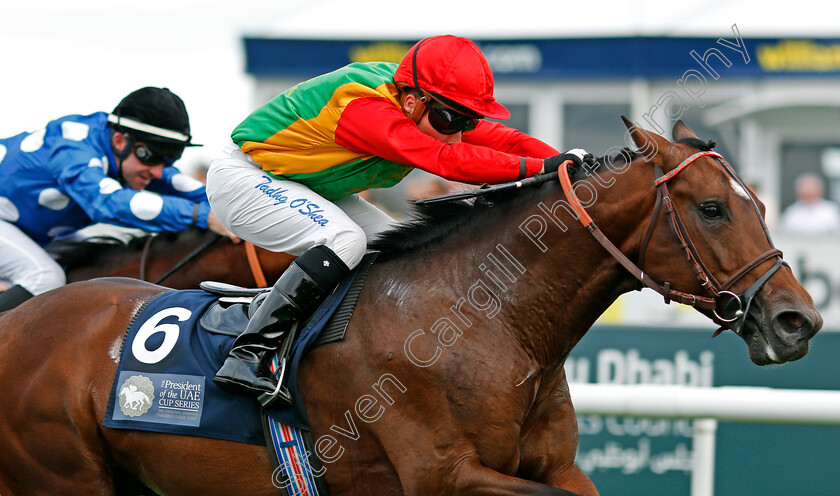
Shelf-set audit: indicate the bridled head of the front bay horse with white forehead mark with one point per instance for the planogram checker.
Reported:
(714, 243)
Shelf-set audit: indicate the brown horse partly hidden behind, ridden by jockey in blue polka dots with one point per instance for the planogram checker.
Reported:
(151, 258)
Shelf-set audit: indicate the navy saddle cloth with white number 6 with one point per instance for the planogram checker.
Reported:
(164, 382)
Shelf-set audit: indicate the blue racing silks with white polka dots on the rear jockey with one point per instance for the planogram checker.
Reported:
(64, 177)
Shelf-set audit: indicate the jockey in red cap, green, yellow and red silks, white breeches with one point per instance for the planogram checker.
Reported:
(289, 181)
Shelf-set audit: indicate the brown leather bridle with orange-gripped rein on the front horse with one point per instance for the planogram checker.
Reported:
(728, 308)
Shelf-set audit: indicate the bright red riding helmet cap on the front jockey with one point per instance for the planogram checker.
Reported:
(454, 68)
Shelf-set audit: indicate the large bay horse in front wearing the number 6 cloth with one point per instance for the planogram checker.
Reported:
(450, 379)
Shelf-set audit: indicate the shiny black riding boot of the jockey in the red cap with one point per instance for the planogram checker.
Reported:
(293, 299)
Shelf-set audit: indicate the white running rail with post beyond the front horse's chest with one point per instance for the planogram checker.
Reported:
(707, 406)
